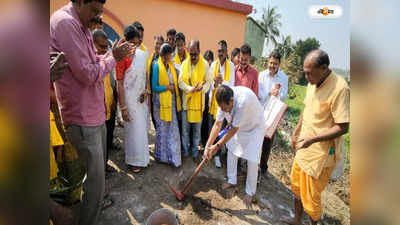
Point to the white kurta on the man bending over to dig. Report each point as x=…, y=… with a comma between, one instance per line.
x=247, y=114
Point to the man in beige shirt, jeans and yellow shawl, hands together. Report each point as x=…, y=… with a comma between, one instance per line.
x=194, y=81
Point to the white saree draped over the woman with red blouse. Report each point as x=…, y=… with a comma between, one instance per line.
x=136, y=141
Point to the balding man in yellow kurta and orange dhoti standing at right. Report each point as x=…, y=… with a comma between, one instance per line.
x=318, y=137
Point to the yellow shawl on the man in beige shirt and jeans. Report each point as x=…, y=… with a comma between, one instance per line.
x=195, y=78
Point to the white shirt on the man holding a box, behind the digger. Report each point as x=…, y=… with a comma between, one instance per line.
x=266, y=83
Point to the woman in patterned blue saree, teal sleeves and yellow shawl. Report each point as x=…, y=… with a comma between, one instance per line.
x=167, y=105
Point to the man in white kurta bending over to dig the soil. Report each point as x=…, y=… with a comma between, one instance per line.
x=244, y=113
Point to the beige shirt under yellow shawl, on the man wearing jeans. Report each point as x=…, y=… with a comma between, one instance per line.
x=185, y=88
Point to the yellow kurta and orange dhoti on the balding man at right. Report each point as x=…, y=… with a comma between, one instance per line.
x=312, y=167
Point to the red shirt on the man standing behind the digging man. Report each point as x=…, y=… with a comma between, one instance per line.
x=247, y=78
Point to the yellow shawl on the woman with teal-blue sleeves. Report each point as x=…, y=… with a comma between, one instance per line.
x=166, y=96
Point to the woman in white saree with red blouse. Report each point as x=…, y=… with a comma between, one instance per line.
x=132, y=93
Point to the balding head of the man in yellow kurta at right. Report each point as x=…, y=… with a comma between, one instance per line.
x=316, y=66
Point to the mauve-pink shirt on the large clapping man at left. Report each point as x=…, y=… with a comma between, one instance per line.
x=80, y=91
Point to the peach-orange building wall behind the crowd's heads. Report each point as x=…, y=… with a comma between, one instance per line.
x=196, y=21
